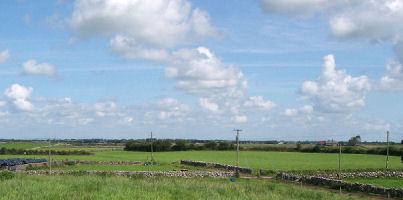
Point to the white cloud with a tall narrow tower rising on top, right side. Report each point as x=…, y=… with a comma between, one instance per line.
x=335, y=90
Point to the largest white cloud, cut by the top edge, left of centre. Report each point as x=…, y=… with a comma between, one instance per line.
x=147, y=25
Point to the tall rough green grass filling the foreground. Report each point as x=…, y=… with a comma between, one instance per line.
x=95, y=187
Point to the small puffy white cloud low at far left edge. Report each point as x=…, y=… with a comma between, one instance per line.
x=19, y=96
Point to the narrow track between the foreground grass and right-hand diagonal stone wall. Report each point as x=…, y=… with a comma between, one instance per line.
x=358, y=194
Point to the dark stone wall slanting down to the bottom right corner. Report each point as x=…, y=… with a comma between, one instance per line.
x=336, y=184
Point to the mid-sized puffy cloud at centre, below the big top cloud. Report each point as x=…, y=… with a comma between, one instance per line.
x=199, y=71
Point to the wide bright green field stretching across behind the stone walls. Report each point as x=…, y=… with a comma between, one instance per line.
x=252, y=159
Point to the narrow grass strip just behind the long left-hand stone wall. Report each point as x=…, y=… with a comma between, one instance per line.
x=159, y=167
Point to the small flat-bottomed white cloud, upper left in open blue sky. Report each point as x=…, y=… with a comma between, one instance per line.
x=31, y=67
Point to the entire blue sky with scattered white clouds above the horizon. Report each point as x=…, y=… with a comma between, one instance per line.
x=279, y=70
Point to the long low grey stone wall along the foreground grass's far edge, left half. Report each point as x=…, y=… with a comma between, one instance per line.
x=144, y=173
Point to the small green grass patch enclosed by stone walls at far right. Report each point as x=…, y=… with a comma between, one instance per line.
x=388, y=182
